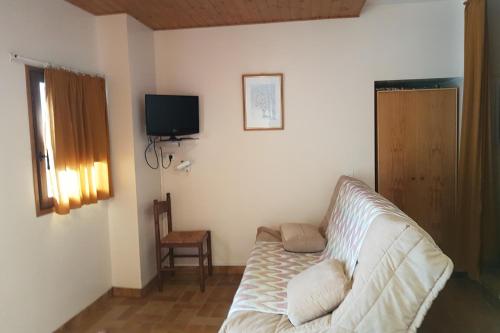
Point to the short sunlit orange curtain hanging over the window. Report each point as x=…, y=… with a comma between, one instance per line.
x=79, y=139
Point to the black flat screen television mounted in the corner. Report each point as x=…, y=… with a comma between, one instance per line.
x=172, y=116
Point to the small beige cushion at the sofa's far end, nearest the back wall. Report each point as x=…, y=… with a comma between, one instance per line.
x=302, y=238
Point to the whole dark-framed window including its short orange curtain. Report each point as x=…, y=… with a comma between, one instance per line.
x=67, y=112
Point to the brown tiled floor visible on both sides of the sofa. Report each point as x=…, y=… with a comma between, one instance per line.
x=461, y=307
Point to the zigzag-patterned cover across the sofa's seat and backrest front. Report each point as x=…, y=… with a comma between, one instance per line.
x=270, y=267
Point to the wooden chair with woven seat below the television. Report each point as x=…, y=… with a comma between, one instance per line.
x=178, y=239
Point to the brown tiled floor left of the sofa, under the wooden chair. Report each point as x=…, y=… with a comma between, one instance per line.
x=181, y=307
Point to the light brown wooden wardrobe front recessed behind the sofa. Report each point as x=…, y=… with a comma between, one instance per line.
x=417, y=157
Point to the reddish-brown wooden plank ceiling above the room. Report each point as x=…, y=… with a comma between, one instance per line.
x=178, y=14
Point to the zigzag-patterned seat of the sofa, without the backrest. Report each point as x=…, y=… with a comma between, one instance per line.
x=270, y=267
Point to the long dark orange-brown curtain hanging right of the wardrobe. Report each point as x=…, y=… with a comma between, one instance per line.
x=475, y=144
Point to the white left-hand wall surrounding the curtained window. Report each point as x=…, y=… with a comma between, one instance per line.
x=52, y=266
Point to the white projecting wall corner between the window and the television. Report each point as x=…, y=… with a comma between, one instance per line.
x=126, y=56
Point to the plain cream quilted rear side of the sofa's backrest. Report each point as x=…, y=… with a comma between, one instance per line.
x=400, y=271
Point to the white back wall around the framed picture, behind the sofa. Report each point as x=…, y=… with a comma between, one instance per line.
x=241, y=180
